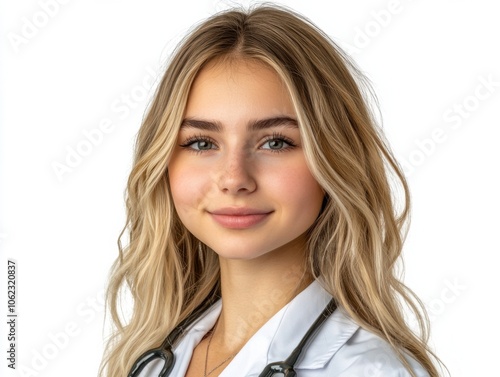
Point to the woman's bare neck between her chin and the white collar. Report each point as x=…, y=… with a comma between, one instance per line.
x=254, y=290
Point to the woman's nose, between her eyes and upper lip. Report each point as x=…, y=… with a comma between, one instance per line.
x=236, y=174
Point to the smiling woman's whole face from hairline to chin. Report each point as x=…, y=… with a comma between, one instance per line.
x=239, y=178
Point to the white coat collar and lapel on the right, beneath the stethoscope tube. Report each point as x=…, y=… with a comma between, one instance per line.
x=281, y=334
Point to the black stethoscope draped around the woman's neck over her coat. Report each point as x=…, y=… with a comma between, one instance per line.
x=280, y=368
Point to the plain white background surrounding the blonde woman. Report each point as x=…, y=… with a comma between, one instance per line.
x=70, y=71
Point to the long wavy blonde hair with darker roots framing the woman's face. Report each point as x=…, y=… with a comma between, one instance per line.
x=354, y=244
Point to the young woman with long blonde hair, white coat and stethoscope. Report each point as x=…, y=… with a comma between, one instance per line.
x=259, y=202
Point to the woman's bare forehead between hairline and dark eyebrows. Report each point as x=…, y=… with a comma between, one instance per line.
x=238, y=88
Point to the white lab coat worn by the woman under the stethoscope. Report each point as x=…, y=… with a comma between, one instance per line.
x=340, y=348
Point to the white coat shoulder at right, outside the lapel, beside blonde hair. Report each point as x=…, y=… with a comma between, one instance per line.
x=366, y=354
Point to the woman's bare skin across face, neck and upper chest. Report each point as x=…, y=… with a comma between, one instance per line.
x=247, y=193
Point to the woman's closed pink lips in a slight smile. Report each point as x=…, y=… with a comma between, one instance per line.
x=239, y=218
